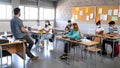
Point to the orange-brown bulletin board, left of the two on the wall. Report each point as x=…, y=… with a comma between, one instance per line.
x=84, y=14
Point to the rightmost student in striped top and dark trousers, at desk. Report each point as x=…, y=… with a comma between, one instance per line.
x=112, y=31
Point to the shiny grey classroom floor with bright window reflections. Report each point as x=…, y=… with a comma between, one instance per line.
x=50, y=59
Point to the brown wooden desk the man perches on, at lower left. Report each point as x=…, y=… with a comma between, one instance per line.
x=16, y=47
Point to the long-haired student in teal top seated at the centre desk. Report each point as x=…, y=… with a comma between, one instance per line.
x=73, y=34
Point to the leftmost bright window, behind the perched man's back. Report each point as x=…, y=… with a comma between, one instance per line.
x=5, y=12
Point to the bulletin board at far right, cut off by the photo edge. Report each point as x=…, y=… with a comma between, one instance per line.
x=108, y=13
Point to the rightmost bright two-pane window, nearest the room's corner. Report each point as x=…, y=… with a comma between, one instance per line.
x=46, y=14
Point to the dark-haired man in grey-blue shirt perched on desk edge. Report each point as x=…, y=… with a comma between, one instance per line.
x=19, y=32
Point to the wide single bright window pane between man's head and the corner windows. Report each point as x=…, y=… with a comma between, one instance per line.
x=31, y=13
